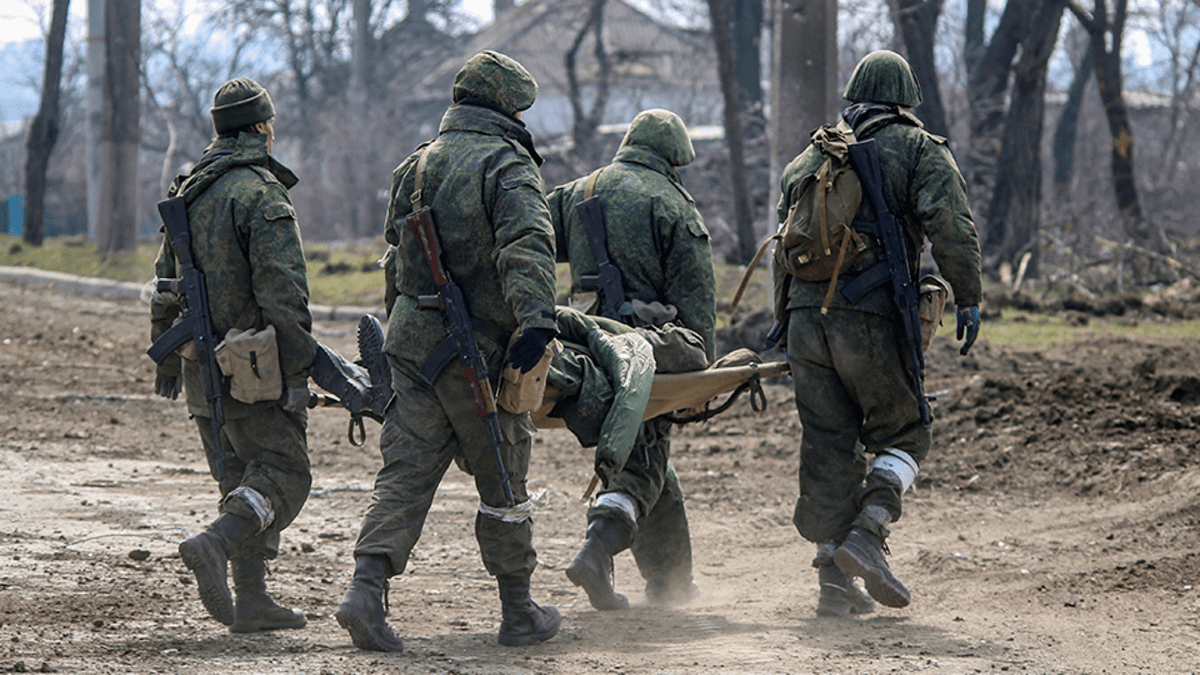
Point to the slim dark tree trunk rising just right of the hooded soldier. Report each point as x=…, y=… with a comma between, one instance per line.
x=742, y=214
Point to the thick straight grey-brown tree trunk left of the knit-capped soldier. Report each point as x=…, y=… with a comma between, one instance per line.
x=121, y=139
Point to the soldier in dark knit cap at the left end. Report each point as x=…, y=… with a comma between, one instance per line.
x=247, y=241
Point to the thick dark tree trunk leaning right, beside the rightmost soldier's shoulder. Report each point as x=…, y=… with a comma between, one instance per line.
x=1013, y=217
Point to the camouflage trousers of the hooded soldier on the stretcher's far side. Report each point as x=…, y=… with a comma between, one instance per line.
x=662, y=542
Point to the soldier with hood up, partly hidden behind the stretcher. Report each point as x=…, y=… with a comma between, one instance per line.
x=667, y=268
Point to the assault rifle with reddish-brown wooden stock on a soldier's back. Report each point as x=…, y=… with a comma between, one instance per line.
x=459, y=326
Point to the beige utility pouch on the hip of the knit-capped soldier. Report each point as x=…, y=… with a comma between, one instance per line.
x=251, y=362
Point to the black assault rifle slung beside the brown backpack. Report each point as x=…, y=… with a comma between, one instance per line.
x=866, y=158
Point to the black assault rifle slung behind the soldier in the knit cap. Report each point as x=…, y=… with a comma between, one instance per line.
x=195, y=324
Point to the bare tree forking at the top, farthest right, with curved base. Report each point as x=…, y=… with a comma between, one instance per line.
x=1107, y=31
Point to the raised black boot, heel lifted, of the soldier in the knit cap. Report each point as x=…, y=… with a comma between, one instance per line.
x=207, y=555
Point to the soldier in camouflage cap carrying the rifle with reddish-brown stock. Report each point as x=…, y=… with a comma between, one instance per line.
x=481, y=178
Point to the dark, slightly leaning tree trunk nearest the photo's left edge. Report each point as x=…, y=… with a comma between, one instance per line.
x=44, y=134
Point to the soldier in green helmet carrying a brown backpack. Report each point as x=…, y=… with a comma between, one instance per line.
x=853, y=384
